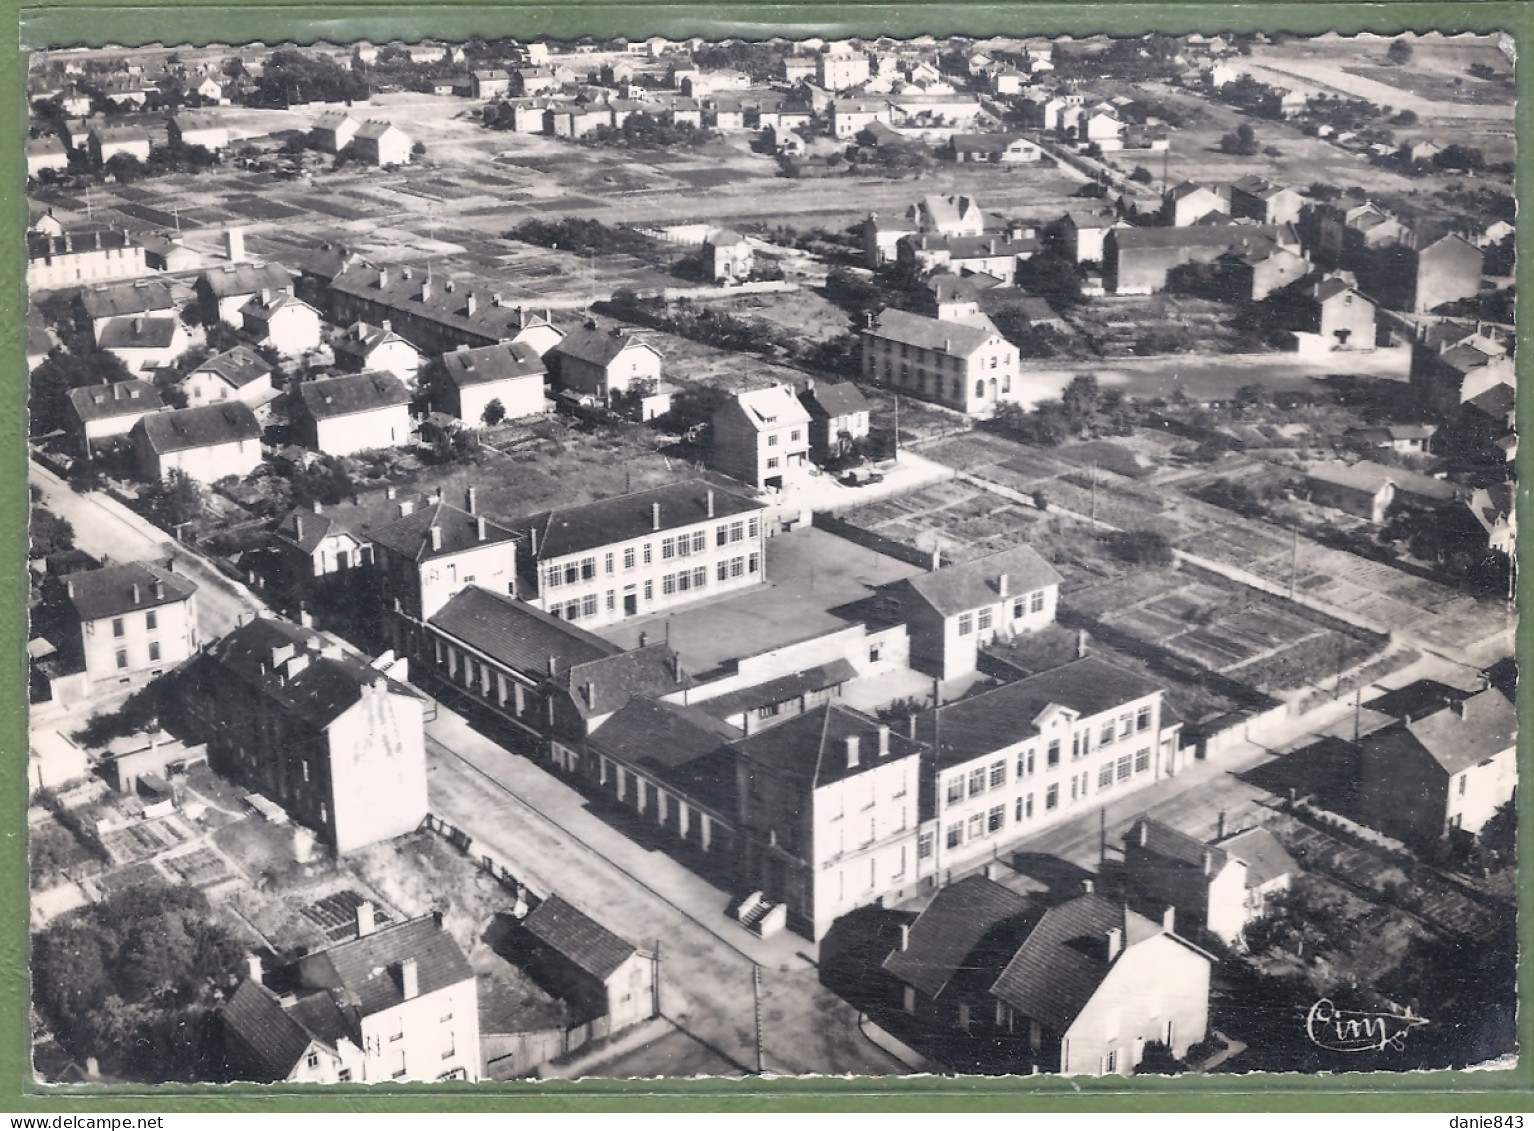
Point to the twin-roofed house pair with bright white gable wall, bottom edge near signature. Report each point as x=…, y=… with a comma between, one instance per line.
x=1078, y=989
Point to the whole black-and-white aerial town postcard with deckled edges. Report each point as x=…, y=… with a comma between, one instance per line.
x=677, y=558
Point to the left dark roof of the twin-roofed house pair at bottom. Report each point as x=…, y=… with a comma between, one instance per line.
x=949, y=937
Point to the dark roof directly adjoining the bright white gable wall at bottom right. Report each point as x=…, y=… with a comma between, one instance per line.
x=1064, y=960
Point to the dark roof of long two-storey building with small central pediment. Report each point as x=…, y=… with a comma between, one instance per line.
x=995, y=719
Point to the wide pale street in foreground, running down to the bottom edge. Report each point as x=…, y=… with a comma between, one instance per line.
x=547, y=834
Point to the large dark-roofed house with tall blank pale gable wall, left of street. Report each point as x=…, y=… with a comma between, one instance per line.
x=317, y=730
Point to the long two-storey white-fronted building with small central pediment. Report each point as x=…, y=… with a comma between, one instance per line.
x=1012, y=762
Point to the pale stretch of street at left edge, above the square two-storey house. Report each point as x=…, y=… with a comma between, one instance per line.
x=108, y=530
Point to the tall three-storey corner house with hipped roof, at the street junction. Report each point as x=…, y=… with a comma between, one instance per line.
x=829, y=814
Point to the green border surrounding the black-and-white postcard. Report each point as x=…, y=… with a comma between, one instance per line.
x=99, y=24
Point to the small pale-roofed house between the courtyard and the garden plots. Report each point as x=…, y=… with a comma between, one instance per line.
x=955, y=612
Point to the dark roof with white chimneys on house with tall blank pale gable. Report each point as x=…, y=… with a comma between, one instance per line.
x=318, y=691
